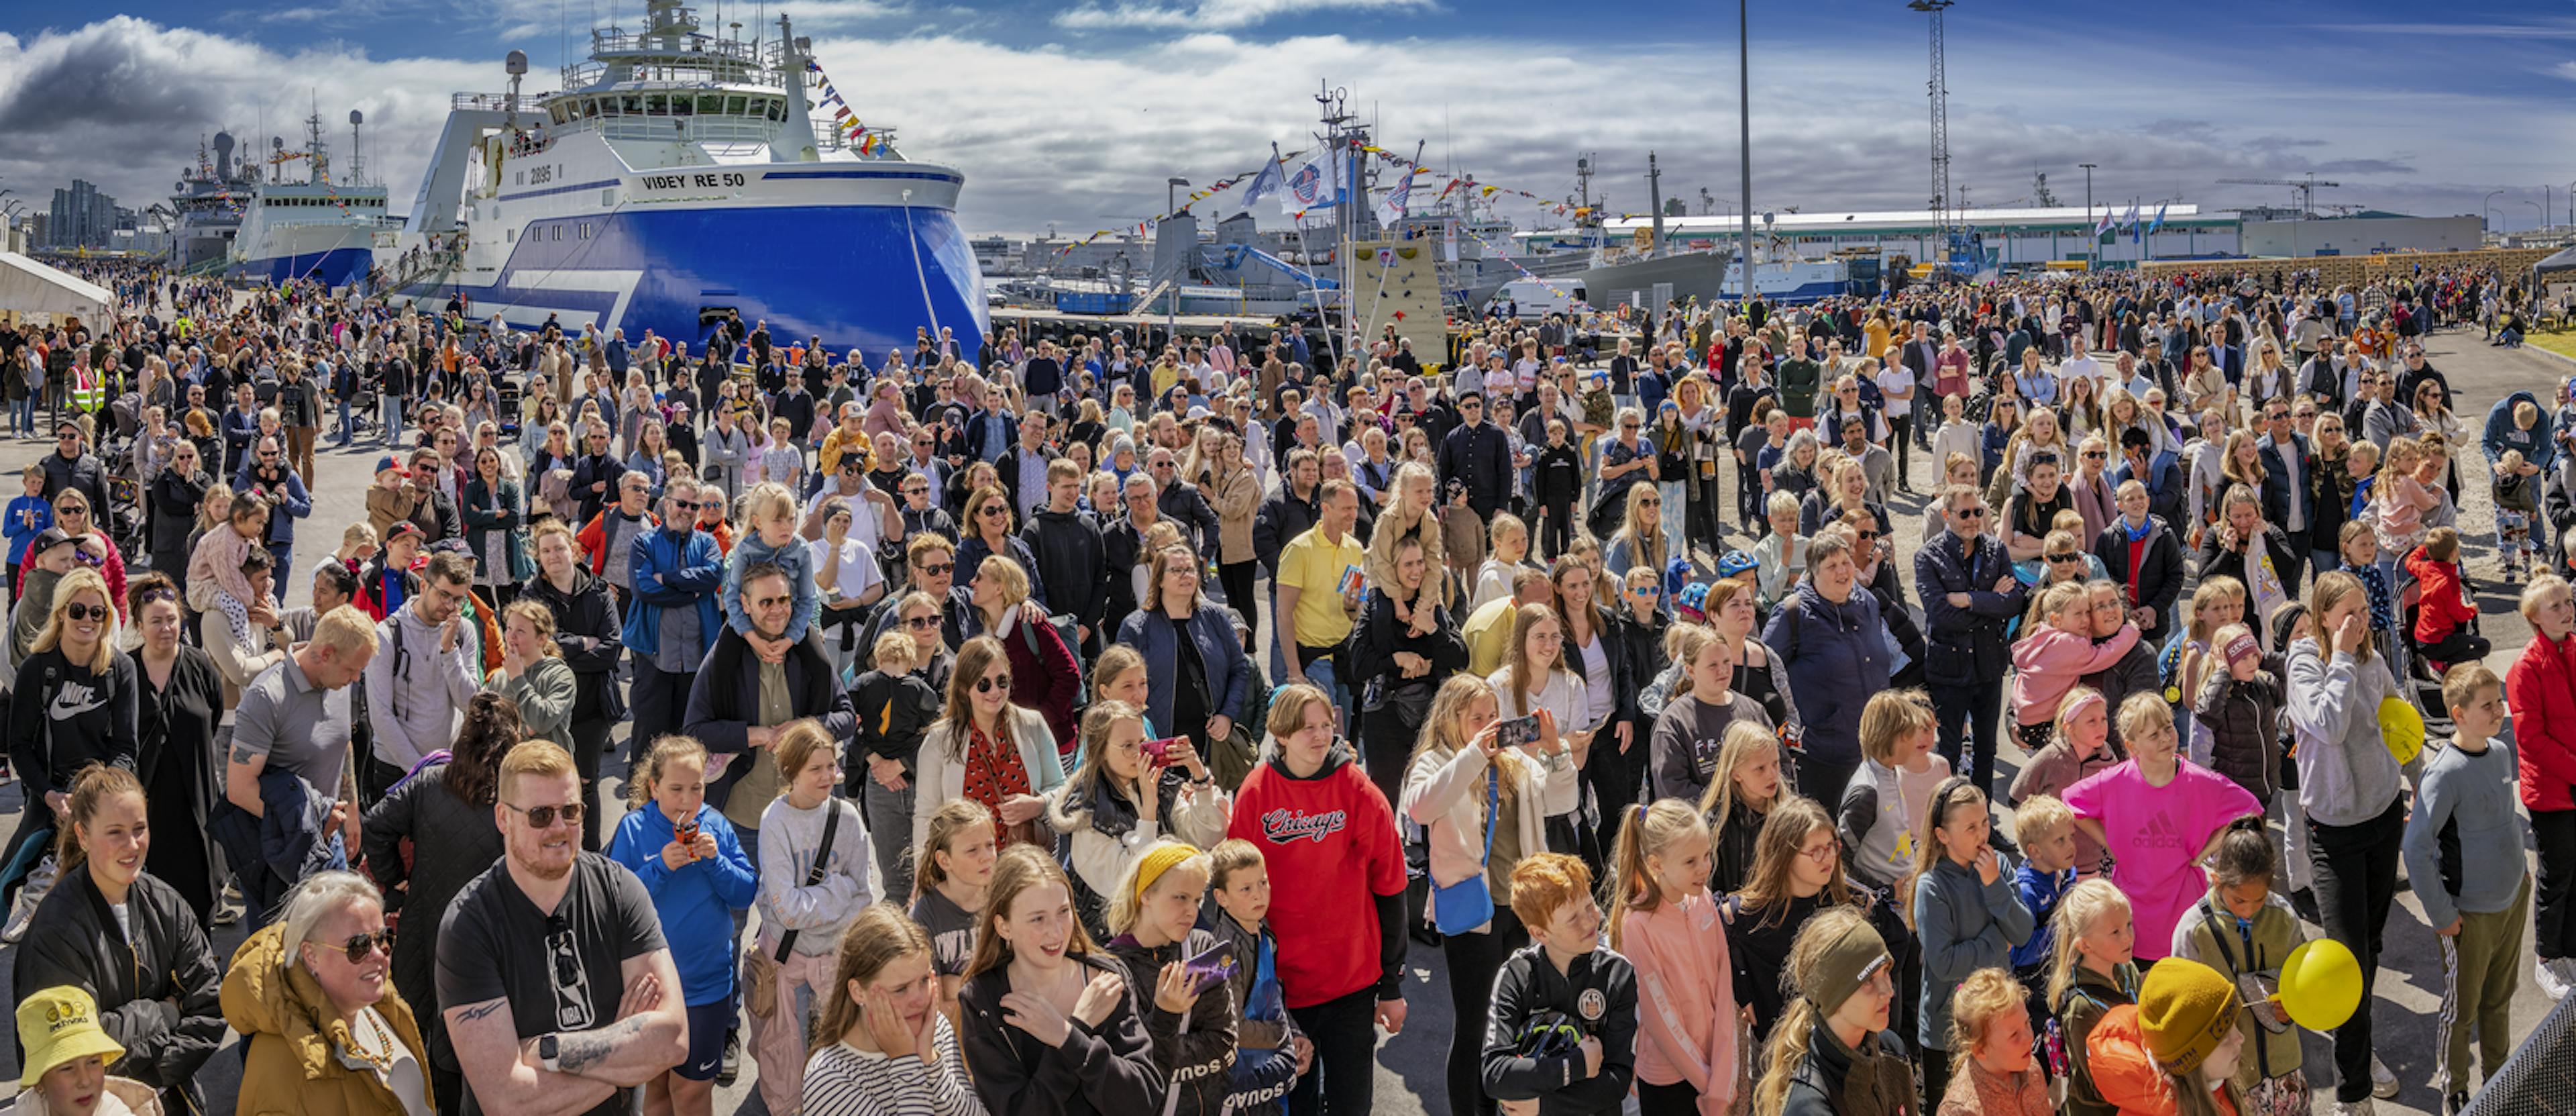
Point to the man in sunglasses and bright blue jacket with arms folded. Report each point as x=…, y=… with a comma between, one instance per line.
x=671, y=615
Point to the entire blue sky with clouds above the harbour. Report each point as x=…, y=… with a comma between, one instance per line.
x=1070, y=115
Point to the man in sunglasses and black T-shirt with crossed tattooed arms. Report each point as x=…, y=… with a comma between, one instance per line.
x=558, y=986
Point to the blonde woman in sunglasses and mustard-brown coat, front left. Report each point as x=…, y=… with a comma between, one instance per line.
x=341, y=1040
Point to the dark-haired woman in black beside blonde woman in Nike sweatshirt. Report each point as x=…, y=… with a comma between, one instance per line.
x=179, y=705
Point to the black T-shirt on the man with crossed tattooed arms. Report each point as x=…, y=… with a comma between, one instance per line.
x=560, y=973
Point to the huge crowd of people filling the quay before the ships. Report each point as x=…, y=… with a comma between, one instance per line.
x=1101, y=723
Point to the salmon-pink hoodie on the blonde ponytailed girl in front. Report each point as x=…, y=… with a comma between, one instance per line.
x=1686, y=999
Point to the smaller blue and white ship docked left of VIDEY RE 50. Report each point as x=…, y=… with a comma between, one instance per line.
x=318, y=228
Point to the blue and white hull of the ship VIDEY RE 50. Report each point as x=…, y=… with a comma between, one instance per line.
x=862, y=277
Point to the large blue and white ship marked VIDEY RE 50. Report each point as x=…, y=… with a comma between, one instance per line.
x=681, y=179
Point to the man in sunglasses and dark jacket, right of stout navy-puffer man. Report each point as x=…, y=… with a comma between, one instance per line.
x=1969, y=597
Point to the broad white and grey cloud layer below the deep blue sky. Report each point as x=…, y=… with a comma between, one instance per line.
x=1083, y=138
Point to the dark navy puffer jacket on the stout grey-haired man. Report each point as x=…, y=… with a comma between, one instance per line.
x=1835, y=656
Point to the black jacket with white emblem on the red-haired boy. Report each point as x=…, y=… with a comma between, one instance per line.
x=1598, y=996
